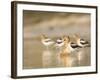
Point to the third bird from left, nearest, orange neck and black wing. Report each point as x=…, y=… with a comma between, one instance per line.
x=69, y=46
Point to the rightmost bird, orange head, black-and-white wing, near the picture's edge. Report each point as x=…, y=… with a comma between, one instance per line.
x=81, y=42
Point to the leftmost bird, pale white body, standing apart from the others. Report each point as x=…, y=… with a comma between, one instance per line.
x=46, y=41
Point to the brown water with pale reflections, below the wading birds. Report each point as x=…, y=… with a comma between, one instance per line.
x=37, y=56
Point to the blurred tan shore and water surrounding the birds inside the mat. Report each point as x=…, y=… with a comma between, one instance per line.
x=54, y=25
